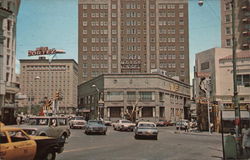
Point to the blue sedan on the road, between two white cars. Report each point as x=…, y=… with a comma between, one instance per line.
x=95, y=126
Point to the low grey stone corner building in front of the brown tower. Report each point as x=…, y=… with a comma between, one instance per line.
x=167, y=100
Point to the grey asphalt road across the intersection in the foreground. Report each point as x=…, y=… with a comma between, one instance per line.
x=122, y=146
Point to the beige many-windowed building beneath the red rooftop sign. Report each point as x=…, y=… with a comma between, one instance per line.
x=40, y=79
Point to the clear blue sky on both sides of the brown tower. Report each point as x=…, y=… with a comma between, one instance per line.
x=54, y=23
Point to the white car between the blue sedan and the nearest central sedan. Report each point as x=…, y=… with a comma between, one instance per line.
x=123, y=125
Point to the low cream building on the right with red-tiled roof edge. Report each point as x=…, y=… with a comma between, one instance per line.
x=216, y=63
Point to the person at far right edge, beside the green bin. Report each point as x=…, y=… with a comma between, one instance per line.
x=246, y=140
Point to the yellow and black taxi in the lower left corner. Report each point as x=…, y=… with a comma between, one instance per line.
x=17, y=144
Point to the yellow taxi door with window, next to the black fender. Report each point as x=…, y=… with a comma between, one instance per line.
x=23, y=148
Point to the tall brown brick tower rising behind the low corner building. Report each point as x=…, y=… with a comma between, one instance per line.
x=121, y=36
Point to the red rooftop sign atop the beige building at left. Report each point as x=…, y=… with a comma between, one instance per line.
x=44, y=51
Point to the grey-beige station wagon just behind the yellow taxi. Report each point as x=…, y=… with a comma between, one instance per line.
x=56, y=127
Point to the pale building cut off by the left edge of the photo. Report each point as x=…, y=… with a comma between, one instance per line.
x=8, y=85
